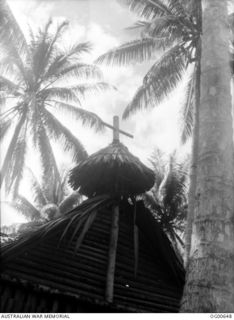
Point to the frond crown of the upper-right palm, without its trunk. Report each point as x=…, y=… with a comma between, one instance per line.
x=172, y=28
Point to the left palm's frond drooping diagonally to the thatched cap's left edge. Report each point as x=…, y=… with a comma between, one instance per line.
x=68, y=140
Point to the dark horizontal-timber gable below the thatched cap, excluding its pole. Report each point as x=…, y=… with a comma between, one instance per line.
x=43, y=266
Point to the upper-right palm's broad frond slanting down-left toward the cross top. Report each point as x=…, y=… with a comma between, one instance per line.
x=160, y=80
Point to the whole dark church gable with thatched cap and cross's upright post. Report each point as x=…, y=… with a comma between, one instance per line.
x=109, y=251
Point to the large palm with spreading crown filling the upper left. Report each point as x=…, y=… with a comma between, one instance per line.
x=38, y=78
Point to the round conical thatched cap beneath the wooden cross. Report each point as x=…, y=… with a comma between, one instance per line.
x=112, y=170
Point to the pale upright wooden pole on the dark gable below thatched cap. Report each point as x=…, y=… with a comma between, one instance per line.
x=109, y=294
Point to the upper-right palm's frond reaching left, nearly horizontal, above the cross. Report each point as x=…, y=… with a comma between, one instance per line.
x=135, y=51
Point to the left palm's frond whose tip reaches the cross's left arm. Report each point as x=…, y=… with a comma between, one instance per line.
x=86, y=117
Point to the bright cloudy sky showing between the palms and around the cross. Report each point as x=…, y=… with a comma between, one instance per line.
x=103, y=23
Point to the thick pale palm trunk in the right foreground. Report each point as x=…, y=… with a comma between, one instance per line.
x=209, y=282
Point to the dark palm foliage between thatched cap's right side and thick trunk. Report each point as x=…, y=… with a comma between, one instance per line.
x=167, y=200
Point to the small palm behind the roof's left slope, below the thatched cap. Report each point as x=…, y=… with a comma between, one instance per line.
x=44, y=207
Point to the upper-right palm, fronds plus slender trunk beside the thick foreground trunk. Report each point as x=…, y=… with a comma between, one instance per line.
x=173, y=27
